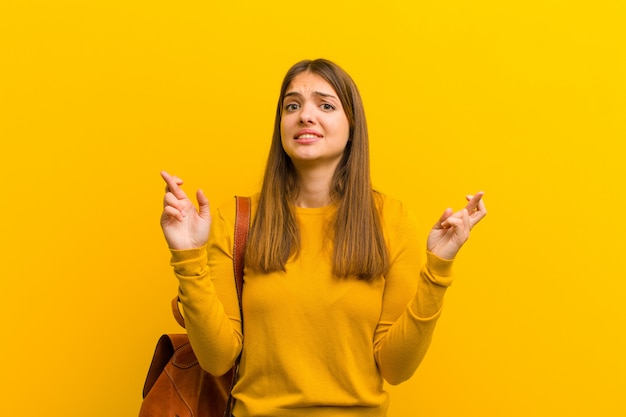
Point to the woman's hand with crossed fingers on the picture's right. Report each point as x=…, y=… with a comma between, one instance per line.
x=453, y=229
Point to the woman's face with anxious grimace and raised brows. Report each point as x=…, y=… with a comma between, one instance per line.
x=314, y=128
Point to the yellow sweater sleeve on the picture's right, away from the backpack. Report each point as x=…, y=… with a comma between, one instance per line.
x=412, y=302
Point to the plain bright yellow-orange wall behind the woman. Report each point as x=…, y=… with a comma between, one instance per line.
x=523, y=99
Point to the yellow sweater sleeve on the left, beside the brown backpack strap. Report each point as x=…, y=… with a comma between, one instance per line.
x=209, y=298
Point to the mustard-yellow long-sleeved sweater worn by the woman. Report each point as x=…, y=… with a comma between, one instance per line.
x=315, y=345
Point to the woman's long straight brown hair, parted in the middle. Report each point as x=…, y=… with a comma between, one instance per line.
x=358, y=244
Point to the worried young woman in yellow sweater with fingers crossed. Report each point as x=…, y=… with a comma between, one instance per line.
x=337, y=295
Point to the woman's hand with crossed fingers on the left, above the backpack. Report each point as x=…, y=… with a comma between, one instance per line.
x=184, y=227
